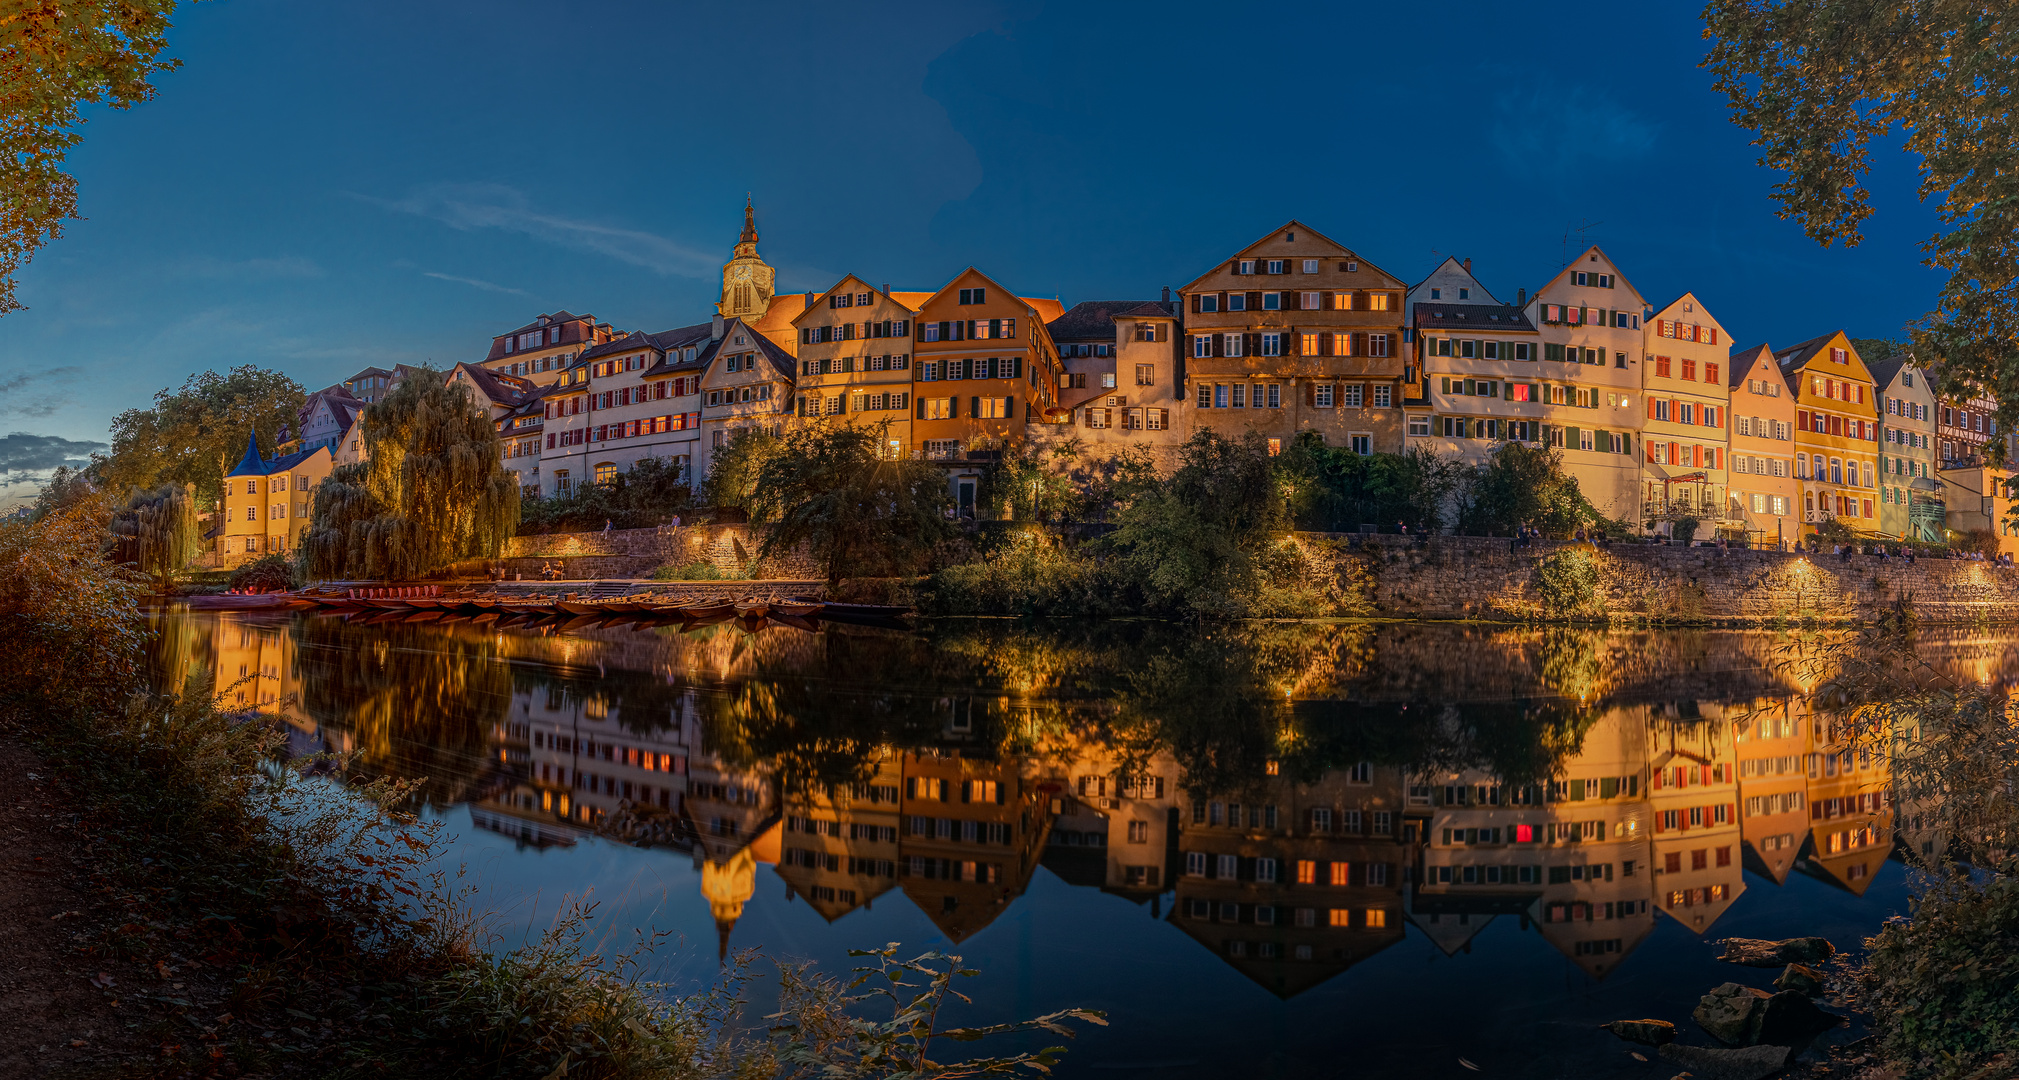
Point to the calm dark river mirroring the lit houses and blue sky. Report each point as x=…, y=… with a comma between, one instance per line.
x=1263, y=851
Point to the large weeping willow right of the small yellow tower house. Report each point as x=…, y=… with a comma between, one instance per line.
x=431, y=492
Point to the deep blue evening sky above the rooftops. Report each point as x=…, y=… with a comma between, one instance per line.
x=336, y=185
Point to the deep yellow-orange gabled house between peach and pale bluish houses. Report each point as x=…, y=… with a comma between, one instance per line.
x=1836, y=433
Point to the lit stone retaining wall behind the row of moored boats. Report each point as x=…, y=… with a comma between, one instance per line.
x=639, y=552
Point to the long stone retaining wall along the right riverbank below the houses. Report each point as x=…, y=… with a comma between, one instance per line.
x=1491, y=578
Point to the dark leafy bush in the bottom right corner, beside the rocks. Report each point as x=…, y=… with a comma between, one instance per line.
x=1943, y=986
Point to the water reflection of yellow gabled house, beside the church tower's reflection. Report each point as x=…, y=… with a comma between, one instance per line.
x=841, y=849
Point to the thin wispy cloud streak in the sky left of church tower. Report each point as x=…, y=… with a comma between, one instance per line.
x=477, y=207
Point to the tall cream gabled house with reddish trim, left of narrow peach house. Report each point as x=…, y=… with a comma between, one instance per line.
x=1687, y=419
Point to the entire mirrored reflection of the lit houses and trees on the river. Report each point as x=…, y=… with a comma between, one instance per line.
x=1291, y=798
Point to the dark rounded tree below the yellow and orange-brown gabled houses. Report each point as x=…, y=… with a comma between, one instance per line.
x=831, y=490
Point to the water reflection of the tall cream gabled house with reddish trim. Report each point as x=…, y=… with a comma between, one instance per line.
x=1693, y=802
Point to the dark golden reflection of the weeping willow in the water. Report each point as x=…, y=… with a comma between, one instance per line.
x=419, y=701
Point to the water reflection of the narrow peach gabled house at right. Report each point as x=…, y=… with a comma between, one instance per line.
x=1774, y=784
